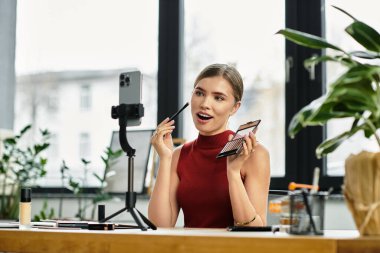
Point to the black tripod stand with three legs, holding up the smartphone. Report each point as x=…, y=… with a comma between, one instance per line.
x=123, y=112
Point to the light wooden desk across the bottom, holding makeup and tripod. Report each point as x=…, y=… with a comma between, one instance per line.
x=182, y=240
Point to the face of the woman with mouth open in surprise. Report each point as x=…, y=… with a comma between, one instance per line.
x=212, y=103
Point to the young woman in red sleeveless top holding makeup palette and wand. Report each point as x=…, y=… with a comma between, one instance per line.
x=213, y=193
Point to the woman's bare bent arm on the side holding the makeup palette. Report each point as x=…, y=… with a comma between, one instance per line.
x=249, y=199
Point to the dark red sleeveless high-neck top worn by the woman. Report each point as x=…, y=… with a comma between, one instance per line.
x=203, y=191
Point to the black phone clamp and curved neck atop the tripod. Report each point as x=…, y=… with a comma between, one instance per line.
x=123, y=112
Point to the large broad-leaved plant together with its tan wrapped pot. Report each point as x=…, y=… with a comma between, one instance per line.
x=356, y=95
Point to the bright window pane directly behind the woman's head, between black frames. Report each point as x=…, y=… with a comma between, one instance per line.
x=233, y=32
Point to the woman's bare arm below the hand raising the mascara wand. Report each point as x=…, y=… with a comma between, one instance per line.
x=163, y=208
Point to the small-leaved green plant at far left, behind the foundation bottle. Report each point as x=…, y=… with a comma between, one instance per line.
x=20, y=167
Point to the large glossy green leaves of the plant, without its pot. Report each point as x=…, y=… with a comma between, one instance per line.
x=355, y=94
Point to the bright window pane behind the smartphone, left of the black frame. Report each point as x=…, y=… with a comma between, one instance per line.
x=68, y=58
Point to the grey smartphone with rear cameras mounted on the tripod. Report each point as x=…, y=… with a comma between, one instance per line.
x=130, y=84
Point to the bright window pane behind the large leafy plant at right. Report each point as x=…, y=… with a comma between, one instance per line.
x=336, y=22
